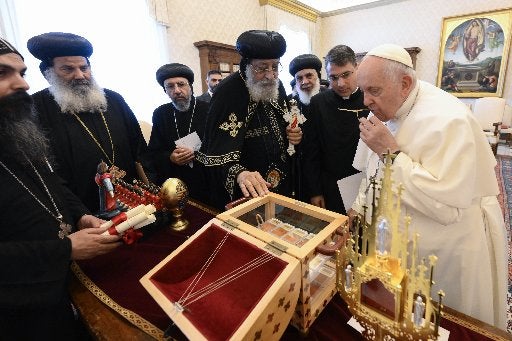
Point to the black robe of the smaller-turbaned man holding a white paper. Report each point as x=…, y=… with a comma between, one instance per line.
x=169, y=125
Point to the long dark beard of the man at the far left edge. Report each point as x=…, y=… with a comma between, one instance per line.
x=21, y=139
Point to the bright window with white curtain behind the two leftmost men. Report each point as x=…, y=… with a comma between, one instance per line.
x=129, y=45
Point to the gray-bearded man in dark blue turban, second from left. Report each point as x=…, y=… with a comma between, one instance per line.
x=86, y=123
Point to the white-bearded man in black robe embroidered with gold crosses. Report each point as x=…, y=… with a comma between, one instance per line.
x=246, y=136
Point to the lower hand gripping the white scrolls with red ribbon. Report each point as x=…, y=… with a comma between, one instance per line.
x=89, y=243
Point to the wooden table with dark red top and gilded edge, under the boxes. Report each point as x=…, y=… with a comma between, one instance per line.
x=127, y=310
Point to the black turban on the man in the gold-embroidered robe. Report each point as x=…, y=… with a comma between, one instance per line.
x=261, y=44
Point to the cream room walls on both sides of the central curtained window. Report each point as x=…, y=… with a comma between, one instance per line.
x=408, y=23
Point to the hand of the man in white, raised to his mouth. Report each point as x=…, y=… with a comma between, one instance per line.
x=377, y=136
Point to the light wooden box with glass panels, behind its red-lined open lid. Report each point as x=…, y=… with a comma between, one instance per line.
x=307, y=233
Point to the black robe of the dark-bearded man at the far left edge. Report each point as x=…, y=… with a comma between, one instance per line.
x=34, y=261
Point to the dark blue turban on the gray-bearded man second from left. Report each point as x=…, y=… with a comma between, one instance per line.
x=49, y=45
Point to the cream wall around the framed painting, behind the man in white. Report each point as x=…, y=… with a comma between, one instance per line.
x=407, y=23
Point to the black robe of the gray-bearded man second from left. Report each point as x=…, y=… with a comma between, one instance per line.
x=76, y=153
